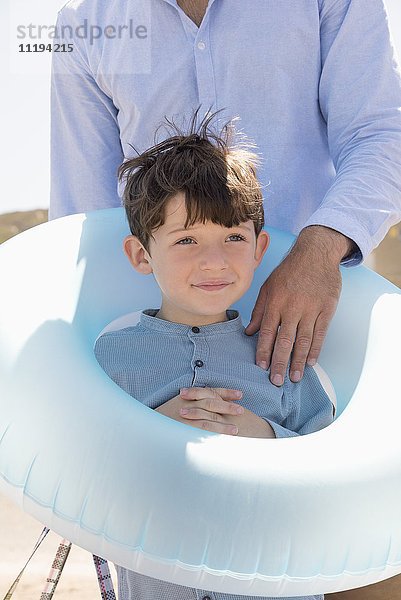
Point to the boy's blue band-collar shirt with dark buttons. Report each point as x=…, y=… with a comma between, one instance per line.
x=154, y=359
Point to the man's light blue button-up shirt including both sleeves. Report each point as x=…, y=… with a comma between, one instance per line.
x=314, y=83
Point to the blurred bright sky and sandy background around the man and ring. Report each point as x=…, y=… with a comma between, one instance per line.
x=25, y=128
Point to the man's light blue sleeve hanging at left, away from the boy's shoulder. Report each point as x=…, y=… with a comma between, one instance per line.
x=85, y=140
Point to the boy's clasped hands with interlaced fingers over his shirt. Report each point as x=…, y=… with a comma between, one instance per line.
x=212, y=409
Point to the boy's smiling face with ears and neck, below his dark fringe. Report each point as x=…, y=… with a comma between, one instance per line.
x=201, y=270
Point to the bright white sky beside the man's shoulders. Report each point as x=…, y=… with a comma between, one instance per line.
x=25, y=103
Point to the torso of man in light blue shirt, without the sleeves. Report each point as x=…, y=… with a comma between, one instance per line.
x=261, y=63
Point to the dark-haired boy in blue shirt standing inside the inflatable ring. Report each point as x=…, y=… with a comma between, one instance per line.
x=195, y=210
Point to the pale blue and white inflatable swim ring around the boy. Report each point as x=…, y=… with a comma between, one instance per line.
x=286, y=517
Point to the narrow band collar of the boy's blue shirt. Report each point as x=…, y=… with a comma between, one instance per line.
x=149, y=321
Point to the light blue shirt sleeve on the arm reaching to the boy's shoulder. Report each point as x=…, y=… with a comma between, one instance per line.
x=360, y=100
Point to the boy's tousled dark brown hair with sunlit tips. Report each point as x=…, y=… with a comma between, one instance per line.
x=218, y=179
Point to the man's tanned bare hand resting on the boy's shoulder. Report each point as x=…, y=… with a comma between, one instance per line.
x=297, y=302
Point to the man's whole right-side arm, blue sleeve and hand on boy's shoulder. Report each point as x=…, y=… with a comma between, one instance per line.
x=360, y=99
